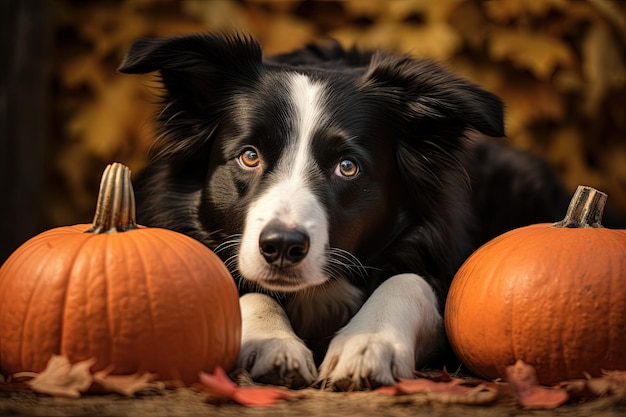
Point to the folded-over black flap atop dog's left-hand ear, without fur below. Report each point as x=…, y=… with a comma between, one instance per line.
x=195, y=62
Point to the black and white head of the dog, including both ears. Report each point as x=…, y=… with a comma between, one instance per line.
x=306, y=167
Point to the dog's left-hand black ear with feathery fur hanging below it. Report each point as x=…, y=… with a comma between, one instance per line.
x=199, y=74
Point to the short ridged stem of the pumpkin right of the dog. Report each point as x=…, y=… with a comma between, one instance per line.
x=585, y=209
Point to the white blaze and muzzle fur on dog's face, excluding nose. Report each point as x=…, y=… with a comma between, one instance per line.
x=290, y=200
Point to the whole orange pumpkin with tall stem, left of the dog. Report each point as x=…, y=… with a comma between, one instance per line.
x=136, y=299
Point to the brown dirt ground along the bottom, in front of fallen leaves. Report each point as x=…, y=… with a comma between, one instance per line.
x=310, y=403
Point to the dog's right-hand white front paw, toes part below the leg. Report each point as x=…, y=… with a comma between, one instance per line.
x=365, y=360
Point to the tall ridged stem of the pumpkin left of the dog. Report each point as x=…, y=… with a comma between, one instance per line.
x=115, y=210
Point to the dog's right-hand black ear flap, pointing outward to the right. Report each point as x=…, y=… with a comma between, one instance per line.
x=437, y=95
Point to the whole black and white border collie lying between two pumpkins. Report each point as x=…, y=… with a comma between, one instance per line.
x=342, y=188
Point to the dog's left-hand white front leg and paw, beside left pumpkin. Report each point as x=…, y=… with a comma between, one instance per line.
x=270, y=350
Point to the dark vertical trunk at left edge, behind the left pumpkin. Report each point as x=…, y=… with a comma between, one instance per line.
x=24, y=74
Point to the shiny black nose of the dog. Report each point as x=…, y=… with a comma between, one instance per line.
x=283, y=246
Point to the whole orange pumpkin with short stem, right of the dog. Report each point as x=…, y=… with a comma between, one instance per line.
x=553, y=296
